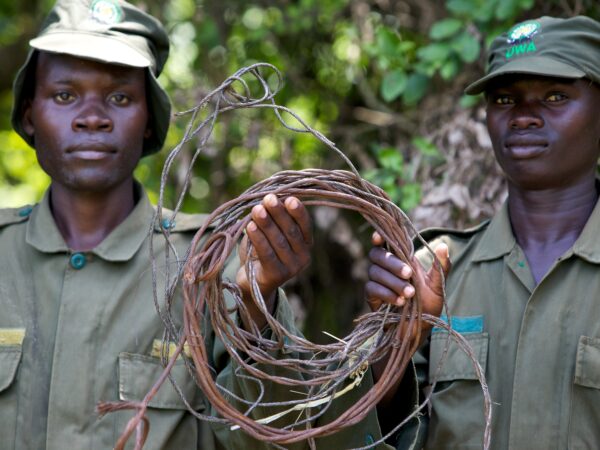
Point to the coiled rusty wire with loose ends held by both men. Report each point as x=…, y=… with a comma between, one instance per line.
x=321, y=372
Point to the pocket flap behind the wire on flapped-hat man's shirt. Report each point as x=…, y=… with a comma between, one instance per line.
x=138, y=373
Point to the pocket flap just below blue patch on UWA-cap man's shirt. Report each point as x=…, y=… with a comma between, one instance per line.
x=457, y=365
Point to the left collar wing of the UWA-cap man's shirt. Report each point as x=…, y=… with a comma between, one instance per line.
x=498, y=238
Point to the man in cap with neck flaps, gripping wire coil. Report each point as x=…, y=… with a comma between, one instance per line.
x=78, y=323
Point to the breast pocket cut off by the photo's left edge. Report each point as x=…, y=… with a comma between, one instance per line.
x=10, y=357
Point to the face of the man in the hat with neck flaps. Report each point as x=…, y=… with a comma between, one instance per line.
x=89, y=121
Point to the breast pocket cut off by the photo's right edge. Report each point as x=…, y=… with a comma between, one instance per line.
x=584, y=431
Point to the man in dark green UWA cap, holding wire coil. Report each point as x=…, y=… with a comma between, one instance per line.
x=524, y=288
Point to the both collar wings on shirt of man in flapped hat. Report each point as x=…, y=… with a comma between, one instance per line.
x=120, y=245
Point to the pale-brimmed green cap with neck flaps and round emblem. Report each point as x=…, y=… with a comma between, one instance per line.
x=112, y=32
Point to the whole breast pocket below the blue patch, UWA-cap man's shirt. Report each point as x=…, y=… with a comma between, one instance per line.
x=457, y=405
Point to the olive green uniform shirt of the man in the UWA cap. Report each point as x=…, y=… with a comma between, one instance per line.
x=539, y=345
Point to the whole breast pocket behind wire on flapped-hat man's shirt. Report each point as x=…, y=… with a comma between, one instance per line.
x=171, y=425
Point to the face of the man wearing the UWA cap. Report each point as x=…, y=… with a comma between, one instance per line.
x=545, y=131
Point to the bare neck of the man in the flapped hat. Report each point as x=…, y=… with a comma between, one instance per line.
x=85, y=219
